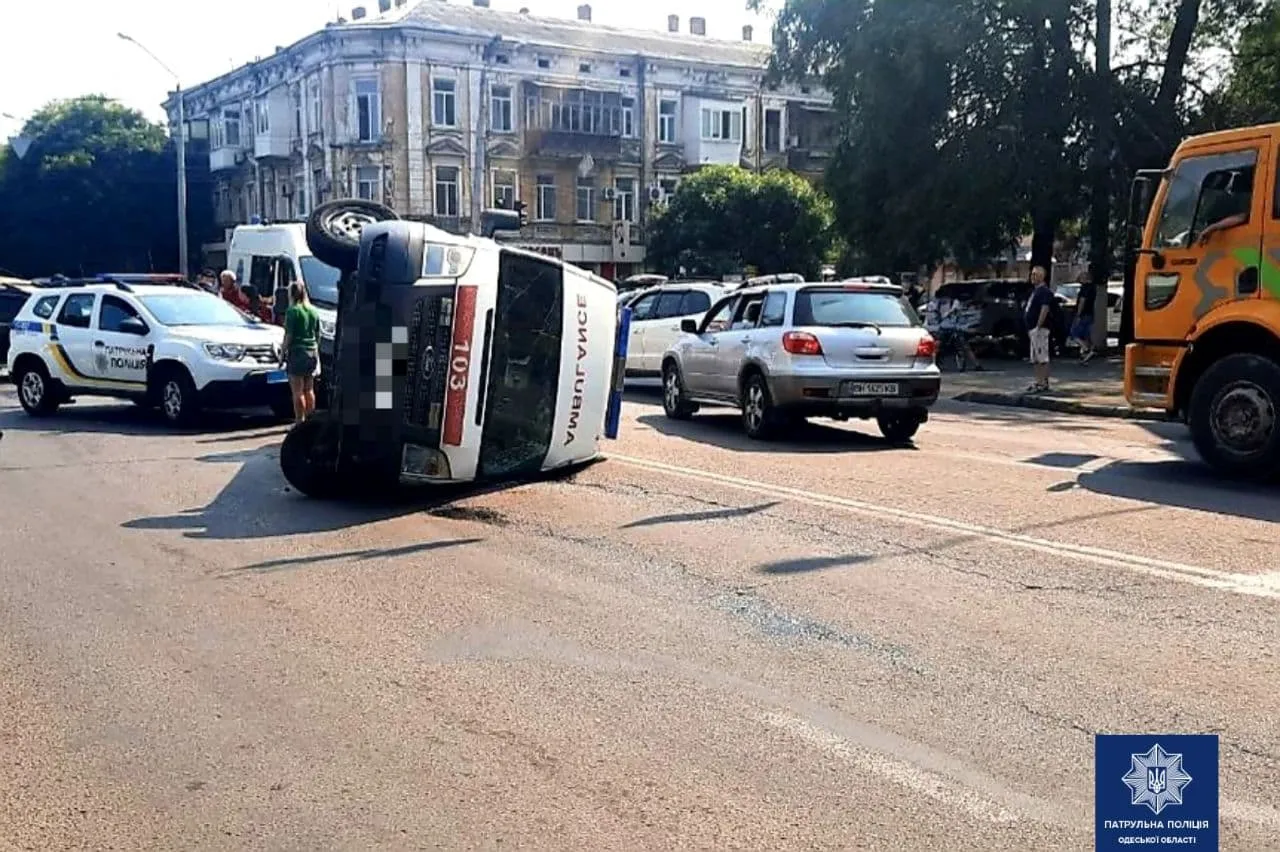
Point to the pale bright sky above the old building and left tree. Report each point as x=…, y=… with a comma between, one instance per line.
x=70, y=48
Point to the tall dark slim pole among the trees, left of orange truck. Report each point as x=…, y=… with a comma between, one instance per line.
x=1100, y=218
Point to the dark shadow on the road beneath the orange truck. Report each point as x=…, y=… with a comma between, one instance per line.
x=1185, y=485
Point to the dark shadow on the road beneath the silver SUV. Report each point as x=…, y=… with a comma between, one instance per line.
x=724, y=429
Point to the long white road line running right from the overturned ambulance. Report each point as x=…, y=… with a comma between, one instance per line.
x=1261, y=587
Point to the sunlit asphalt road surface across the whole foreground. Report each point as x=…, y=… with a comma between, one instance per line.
x=702, y=643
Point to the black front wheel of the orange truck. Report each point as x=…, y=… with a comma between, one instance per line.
x=1233, y=416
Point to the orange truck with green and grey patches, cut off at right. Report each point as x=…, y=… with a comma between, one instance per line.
x=1206, y=296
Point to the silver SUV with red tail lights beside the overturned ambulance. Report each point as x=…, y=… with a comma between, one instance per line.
x=787, y=352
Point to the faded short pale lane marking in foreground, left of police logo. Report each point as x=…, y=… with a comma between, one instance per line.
x=918, y=781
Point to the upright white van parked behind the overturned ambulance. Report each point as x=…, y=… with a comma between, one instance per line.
x=268, y=258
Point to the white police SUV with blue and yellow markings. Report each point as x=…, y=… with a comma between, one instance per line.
x=172, y=347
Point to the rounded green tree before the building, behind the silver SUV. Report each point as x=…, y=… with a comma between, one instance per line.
x=724, y=219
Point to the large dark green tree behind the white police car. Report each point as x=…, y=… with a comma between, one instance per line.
x=95, y=193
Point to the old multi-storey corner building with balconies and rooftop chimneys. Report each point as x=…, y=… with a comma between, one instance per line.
x=444, y=108
